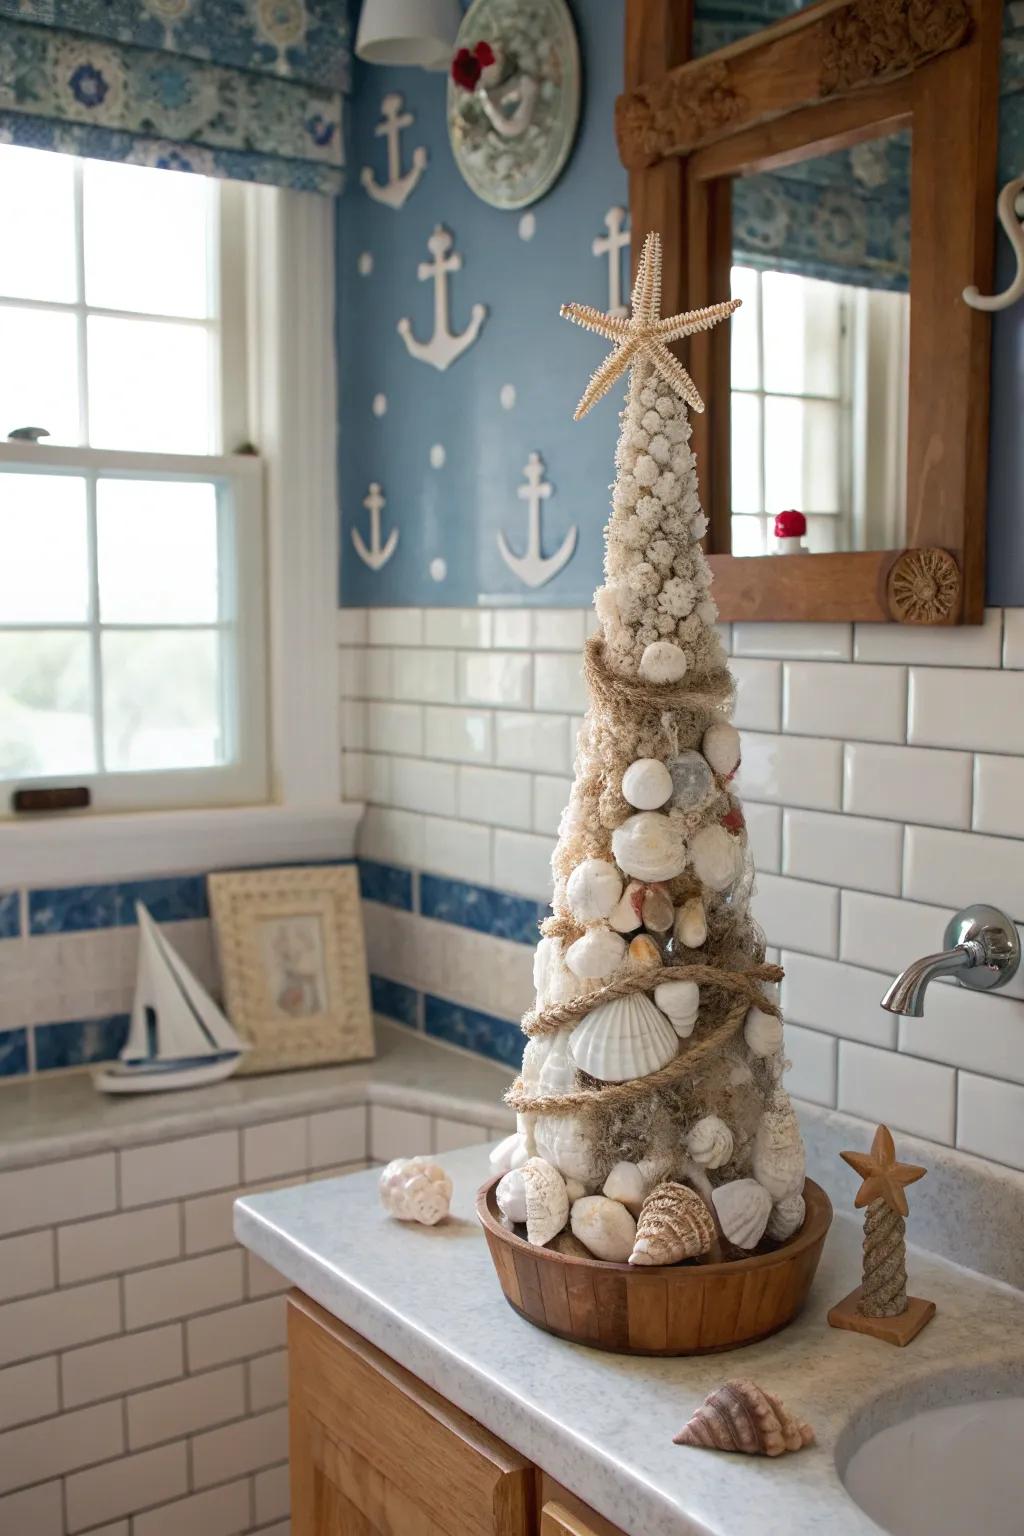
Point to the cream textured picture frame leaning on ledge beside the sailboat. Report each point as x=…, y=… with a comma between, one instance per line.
x=294, y=965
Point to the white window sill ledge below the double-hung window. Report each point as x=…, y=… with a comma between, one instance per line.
x=85, y=850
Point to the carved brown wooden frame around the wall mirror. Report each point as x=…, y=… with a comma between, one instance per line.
x=831, y=76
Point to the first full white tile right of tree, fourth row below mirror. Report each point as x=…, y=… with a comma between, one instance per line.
x=847, y=850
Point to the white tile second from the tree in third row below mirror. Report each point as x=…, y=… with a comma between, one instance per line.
x=908, y=784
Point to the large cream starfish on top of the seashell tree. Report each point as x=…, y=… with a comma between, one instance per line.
x=646, y=334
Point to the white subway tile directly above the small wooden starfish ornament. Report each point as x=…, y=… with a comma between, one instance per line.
x=902, y=1091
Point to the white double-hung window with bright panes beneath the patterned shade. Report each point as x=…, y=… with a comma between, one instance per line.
x=131, y=563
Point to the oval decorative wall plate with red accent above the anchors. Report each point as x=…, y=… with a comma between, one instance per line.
x=514, y=99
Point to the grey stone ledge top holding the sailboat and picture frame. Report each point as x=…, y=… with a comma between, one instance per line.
x=62, y=1116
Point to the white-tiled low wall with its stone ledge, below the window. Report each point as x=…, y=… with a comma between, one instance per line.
x=142, y=1351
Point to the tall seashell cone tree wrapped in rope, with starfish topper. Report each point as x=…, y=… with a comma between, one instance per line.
x=655, y=1058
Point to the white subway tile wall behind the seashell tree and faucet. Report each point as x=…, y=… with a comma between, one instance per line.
x=884, y=784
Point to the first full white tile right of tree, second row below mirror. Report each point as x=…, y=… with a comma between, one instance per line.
x=853, y=703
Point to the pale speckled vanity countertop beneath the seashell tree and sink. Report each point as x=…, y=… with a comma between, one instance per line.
x=603, y=1425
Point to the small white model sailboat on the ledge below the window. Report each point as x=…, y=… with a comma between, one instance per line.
x=179, y=1038
